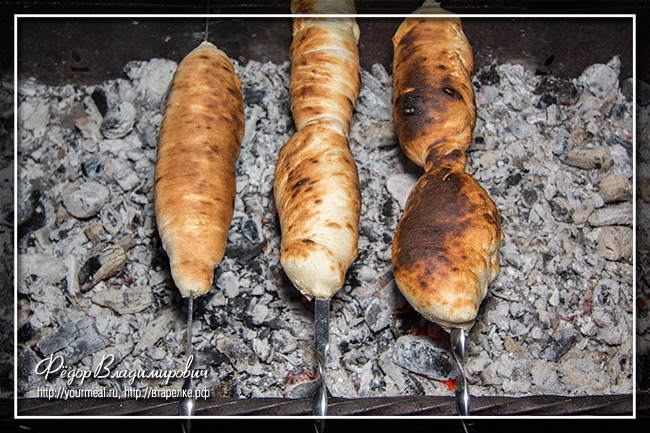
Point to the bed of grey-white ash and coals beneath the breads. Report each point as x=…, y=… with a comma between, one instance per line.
x=554, y=154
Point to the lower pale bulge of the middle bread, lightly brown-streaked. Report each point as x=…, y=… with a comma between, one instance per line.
x=317, y=196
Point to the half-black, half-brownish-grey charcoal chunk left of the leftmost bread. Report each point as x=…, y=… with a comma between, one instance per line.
x=104, y=261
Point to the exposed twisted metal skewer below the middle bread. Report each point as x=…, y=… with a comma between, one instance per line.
x=321, y=340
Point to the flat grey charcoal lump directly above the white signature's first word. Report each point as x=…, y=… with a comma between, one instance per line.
x=73, y=341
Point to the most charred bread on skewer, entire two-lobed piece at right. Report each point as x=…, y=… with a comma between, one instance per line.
x=446, y=244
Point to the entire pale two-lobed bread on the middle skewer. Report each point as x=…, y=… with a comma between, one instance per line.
x=316, y=183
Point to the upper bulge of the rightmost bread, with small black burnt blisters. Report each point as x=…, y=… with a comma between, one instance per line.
x=434, y=109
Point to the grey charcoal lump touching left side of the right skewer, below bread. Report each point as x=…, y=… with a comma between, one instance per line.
x=420, y=355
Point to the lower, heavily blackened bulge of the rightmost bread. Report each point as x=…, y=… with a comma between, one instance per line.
x=445, y=247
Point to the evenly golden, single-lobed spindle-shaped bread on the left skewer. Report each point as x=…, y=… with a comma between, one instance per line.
x=194, y=181
